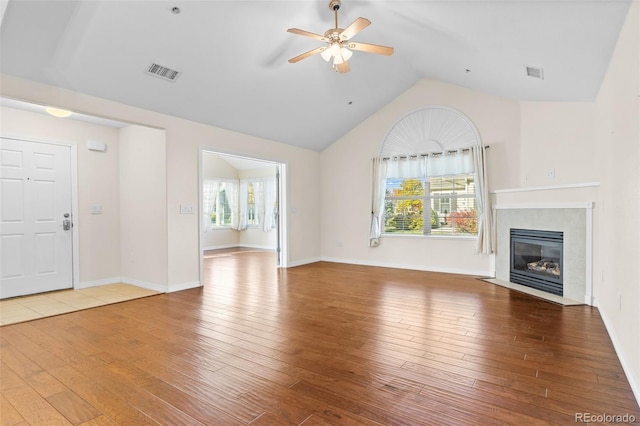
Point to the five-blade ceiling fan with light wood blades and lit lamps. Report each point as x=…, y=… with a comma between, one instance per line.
x=338, y=42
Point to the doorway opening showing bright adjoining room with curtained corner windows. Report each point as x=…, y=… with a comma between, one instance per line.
x=242, y=206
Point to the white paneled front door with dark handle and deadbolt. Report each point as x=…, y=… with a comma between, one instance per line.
x=35, y=218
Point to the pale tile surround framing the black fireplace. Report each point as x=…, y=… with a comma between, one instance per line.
x=574, y=220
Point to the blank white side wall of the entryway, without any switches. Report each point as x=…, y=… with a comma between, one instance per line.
x=143, y=200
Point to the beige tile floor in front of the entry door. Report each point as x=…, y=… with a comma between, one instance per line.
x=26, y=308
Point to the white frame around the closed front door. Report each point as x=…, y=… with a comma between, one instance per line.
x=75, y=217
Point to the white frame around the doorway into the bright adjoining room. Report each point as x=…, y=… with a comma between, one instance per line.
x=283, y=189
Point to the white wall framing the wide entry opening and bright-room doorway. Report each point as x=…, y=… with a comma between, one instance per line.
x=184, y=139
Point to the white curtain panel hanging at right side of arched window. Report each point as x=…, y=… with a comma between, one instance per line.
x=485, y=243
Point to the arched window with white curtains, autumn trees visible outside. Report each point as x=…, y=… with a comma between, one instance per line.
x=430, y=177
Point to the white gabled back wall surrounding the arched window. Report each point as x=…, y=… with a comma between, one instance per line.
x=346, y=183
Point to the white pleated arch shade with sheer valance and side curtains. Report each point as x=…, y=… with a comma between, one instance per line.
x=436, y=141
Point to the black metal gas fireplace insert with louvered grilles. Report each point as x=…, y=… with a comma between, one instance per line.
x=536, y=259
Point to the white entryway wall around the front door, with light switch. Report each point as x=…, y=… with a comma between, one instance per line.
x=98, y=183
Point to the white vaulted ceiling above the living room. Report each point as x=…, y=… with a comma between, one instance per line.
x=233, y=55
